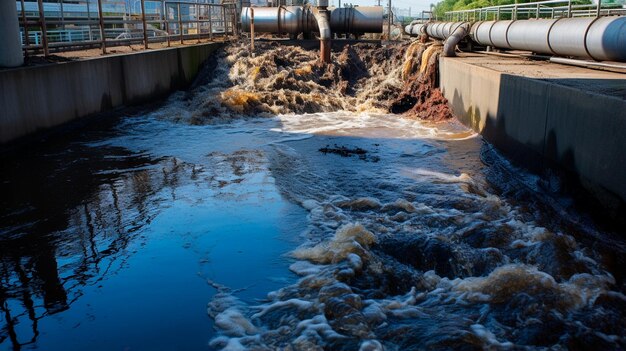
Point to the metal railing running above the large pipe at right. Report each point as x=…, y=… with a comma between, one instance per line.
x=540, y=9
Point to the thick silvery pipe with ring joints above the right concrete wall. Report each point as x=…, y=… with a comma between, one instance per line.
x=599, y=38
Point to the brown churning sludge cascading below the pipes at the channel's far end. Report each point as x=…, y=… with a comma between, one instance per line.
x=281, y=79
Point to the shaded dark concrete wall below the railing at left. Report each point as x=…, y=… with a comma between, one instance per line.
x=34, y=98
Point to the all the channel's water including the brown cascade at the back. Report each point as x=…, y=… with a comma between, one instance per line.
x=406, y=234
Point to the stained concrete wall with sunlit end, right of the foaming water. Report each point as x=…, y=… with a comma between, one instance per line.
x=546, y=123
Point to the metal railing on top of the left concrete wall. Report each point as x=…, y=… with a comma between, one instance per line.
x=65, y=26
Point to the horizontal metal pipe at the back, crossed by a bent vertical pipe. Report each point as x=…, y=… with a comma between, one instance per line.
x=298, y=19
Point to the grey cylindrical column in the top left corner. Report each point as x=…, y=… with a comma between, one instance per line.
x=11, y=53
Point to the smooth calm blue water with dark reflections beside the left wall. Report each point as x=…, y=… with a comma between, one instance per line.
x=117, y=231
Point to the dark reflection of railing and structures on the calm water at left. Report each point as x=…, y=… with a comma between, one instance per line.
x=72, y=213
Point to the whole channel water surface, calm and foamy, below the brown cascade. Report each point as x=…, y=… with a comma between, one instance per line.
x=118, y=234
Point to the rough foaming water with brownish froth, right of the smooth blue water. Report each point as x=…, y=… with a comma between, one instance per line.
x=415, y=247
